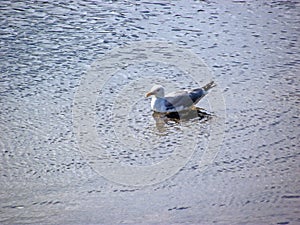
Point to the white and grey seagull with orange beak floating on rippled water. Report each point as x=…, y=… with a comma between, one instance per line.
x=176, y=101
